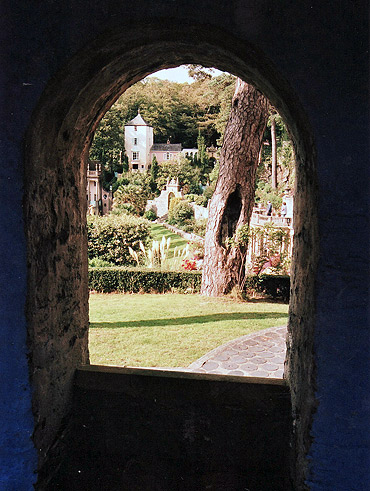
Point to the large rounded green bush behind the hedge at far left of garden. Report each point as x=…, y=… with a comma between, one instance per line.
x=110, y=237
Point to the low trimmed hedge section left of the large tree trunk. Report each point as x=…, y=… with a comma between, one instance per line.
x=107, y=280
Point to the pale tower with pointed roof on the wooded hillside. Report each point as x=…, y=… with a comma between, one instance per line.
x=138, y=142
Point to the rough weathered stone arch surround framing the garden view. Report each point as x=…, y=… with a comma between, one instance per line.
x=57, y=145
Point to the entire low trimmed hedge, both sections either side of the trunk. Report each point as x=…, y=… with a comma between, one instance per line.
x=107, y=280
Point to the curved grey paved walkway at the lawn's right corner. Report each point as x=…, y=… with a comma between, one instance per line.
x=261, y=354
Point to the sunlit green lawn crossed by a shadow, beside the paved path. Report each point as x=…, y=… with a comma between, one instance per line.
x=170, y=330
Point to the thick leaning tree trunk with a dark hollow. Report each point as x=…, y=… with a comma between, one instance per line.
x=232, y=202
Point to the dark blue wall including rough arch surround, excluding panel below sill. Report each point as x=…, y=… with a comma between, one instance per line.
x=64, y=64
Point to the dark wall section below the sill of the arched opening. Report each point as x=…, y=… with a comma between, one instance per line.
x=163, y=431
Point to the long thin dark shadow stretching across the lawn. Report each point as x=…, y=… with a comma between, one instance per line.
x=196, y=319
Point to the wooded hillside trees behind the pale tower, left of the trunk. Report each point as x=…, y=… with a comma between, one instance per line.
x=176, y=112
